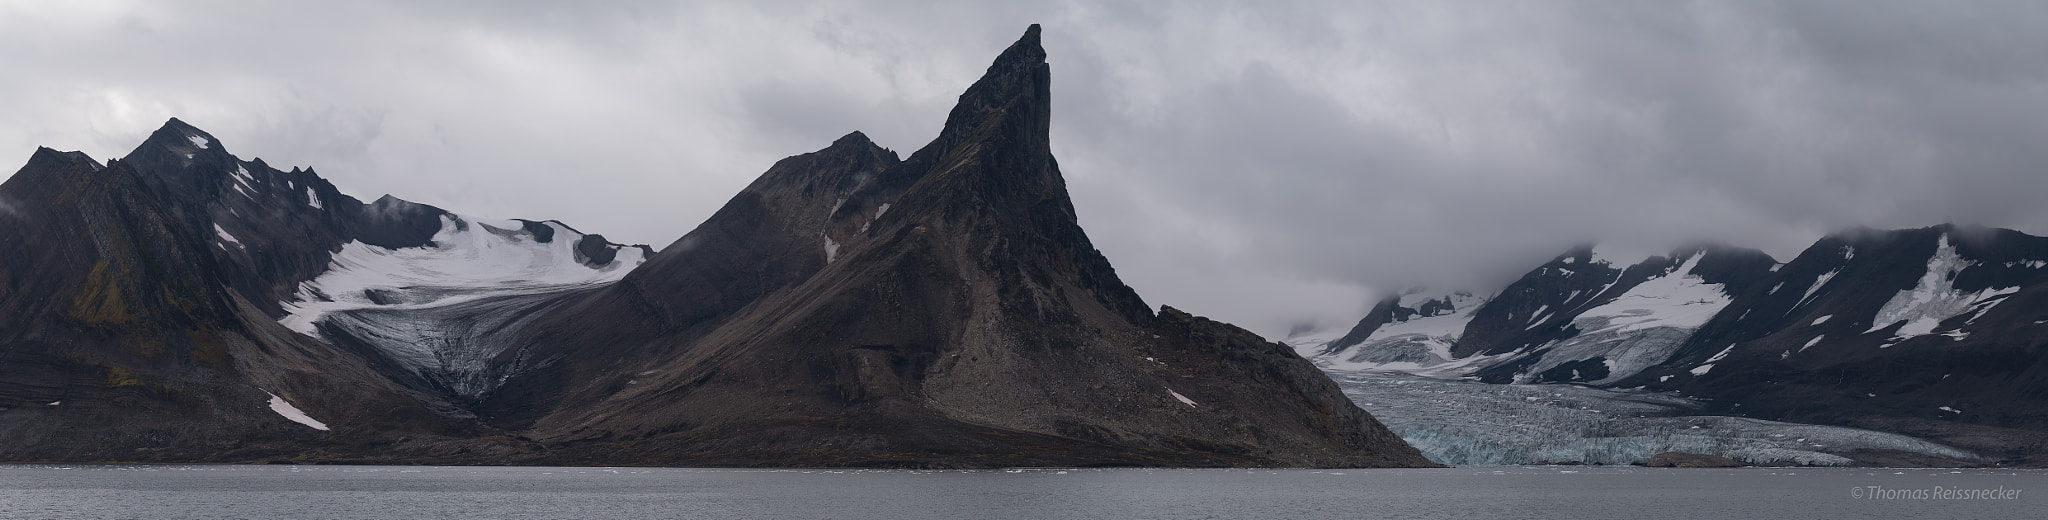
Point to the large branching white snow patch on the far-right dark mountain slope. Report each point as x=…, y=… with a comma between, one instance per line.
x=1936, y=298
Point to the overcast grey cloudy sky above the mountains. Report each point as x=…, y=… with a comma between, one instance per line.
x=1258, y=163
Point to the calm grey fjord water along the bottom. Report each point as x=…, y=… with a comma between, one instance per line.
x=589, y=492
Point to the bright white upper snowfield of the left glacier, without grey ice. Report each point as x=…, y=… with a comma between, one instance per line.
x=468, y=261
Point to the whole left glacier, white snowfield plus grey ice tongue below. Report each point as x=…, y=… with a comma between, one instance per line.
x=445, y=310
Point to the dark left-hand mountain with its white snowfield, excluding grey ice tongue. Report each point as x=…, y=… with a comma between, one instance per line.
x=142, y=302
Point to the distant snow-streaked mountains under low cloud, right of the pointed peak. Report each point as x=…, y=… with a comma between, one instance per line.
x=1932, y=333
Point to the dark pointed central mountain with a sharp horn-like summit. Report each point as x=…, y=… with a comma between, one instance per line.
x=935, y=312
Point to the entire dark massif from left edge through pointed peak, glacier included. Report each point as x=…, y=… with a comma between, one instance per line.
x=847, y=310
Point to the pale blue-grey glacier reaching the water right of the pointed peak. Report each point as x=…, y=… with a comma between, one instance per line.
x=1469, y=423
